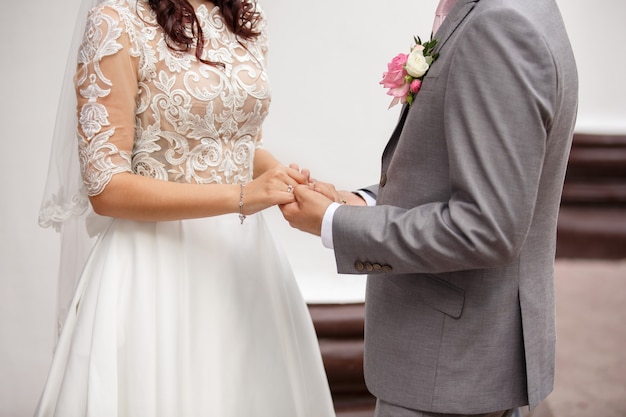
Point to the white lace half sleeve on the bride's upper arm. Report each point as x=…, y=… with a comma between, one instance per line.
x=106, y=87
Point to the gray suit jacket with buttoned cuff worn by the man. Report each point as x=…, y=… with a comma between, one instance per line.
x=460, y=247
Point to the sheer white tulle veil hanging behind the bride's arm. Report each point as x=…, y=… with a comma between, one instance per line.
x=65, y=206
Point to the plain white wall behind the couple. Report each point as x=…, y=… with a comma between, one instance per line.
x=328, y=114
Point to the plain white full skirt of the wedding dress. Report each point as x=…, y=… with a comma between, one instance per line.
x=187, y=319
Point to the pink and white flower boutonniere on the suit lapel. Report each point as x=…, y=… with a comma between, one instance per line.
x=405, y=72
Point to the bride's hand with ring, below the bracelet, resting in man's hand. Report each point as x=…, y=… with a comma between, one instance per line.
x=274, y=186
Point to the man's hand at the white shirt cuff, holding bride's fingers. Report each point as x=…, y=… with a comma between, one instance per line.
x=307, y=212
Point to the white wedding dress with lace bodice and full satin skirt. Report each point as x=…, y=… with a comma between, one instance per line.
x=182, y=318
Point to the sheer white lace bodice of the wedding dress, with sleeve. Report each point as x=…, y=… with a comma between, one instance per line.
x=161, y=113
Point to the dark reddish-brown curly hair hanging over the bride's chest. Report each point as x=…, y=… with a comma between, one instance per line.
x=176, y=16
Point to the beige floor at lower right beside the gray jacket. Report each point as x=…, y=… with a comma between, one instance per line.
x=591, y=344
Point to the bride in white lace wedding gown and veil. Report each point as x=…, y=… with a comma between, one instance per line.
x=184, y=306
